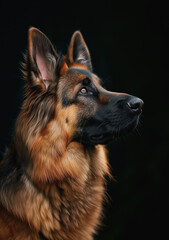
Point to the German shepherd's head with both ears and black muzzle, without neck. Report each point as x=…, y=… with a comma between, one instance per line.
x=64, y=96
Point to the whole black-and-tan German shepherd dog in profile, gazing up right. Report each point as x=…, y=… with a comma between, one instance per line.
x=52, y=177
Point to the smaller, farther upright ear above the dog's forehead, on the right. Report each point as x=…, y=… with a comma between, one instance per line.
x=78, y=50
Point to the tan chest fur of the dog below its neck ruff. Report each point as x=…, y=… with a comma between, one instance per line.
x=77, y=203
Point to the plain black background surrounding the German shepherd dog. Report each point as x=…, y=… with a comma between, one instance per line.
x=129, y=48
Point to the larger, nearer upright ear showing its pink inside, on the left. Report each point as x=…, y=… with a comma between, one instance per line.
x=42, y=56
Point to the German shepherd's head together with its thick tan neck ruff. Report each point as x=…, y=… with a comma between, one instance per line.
x=65, y=109
